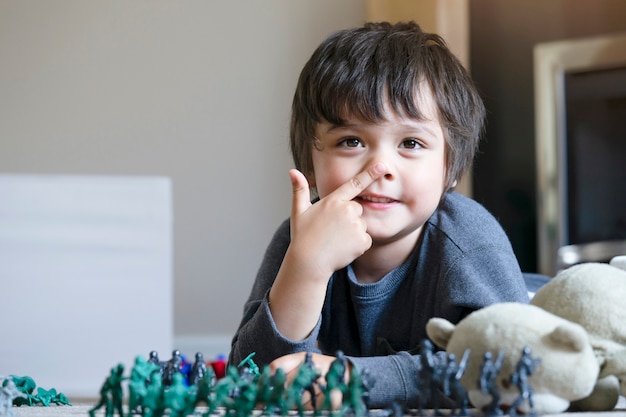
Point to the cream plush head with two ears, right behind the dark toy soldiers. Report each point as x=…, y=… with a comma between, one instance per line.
x=567, y=368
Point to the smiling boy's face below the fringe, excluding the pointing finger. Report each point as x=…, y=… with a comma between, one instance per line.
x=397, y=205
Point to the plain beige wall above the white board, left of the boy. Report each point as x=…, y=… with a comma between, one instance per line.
x=199, y=91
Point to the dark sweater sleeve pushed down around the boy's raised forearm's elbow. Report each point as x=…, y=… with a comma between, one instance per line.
x=257, y=331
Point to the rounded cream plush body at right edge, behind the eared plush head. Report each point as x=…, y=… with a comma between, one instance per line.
x=593, y=295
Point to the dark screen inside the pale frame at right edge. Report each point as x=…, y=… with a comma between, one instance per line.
x=596, y=155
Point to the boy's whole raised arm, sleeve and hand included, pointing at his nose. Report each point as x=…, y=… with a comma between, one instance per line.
x=261, y=328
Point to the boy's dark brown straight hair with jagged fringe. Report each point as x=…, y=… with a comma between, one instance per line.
x=357, y=71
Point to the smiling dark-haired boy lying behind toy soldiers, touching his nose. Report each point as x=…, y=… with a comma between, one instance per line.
x=385, y=120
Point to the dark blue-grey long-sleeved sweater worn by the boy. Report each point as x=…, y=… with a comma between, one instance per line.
x=462, y=262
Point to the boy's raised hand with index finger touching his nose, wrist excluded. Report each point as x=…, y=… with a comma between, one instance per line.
x=331, y=233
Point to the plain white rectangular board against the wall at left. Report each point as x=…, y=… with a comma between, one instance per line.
x=85, y=276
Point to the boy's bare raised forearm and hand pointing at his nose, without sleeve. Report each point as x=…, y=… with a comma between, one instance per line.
x=325, y=237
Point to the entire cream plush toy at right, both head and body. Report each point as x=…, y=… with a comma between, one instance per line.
x=575, y=325
